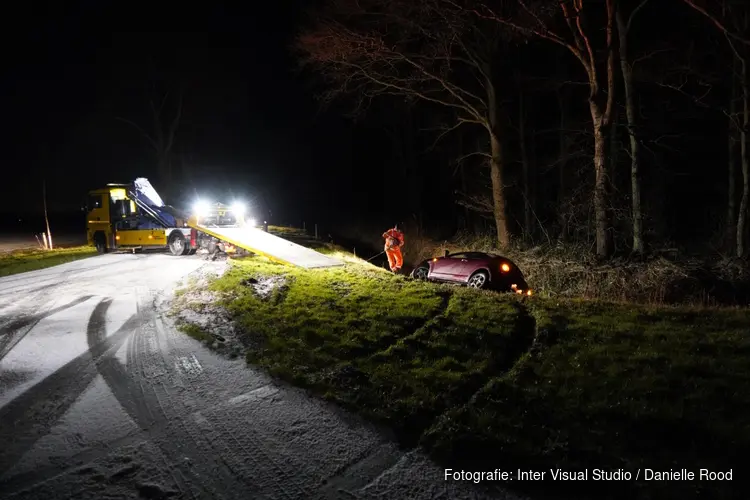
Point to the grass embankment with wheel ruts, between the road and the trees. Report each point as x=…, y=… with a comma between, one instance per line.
x=485, y=380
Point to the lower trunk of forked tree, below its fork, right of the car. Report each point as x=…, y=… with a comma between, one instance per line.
x=600, y=186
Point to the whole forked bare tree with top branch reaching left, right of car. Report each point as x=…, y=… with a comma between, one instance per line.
x=536, y=21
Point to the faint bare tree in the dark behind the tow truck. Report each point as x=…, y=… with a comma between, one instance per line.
x=163, y=130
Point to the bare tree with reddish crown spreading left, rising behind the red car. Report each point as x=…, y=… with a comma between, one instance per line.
x=415, y=50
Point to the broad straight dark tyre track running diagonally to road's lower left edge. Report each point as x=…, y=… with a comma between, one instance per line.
x=31, y=415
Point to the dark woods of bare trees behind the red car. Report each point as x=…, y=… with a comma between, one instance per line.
x=617, y=123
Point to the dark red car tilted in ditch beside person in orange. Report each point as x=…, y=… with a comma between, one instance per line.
x=474, y=269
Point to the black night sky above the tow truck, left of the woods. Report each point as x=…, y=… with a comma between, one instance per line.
x=250, y=122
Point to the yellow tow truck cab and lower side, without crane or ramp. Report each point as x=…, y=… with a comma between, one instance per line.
x=114, y=220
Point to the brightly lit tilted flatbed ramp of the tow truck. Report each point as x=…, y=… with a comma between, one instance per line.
x=260, y=242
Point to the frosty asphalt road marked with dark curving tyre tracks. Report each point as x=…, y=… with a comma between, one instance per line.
x=100, y=397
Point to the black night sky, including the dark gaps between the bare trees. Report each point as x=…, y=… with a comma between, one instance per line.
x=251, y=127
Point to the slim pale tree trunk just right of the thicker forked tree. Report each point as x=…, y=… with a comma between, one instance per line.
x=635, y=174
